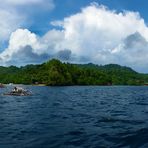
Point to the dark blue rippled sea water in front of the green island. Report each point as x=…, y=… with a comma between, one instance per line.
x=75, y=117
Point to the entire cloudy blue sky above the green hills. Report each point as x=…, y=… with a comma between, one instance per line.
x=76, y=31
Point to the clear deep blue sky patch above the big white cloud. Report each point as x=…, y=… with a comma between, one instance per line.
x=69, y=7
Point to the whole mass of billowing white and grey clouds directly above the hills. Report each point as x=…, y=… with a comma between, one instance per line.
x=96, y=34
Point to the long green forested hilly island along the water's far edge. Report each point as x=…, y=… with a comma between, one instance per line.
x=55, y=73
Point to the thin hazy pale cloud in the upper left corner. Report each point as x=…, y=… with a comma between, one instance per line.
x=15, y=14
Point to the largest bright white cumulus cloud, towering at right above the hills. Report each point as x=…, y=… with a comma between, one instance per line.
x=99, y=34
